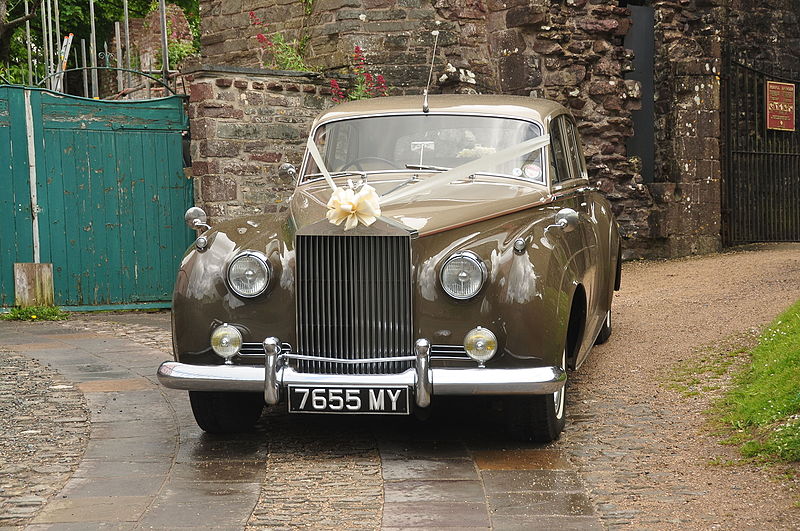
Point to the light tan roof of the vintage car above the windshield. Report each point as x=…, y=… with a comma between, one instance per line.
x=535, y=109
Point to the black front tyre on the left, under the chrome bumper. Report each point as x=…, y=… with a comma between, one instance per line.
x=218, y=412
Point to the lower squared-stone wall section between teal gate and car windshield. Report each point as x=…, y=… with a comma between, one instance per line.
x=244, y=124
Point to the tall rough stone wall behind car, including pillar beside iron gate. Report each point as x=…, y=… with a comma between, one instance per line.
x=568, y=50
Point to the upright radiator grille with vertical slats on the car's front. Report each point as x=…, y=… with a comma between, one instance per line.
x=354, y=302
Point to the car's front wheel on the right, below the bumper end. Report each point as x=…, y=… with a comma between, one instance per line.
x=539, y=418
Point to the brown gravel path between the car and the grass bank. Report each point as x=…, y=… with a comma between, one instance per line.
x=645, y=450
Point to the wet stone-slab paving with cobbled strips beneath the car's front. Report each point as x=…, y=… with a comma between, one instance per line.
x=148, y=466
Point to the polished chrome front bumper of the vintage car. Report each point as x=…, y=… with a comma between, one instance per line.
x=444, y=381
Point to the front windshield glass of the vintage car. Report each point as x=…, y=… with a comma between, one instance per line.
x=425, y=142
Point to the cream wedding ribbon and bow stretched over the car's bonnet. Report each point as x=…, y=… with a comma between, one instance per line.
x=354, y=205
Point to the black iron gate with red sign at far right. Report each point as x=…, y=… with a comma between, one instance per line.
x=761, y=179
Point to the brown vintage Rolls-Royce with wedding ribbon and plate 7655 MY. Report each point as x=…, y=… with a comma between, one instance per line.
x=451, y=247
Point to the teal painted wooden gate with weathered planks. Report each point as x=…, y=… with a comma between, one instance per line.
x=109, y=195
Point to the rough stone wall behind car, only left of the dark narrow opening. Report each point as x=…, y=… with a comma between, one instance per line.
x=569, y=51
